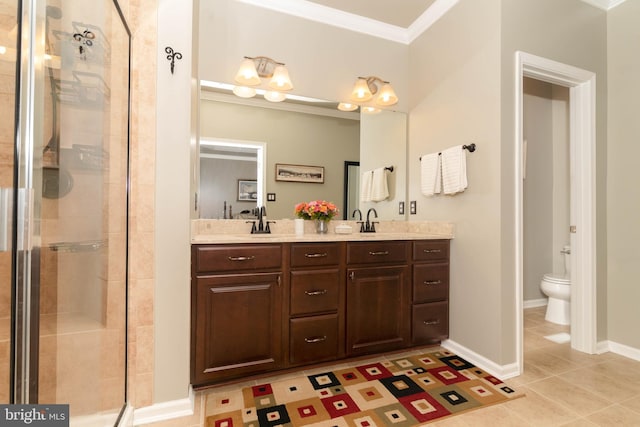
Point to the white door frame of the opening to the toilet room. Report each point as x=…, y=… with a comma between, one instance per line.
x=582, y=95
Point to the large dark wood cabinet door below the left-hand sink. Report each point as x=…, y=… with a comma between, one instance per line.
x=238, y=326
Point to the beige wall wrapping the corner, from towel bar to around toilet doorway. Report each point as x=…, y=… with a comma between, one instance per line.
x=463, y=73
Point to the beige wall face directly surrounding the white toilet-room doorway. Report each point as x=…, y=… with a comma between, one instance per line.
x=574, y=33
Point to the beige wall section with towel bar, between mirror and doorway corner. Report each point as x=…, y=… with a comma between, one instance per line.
x=455, y=71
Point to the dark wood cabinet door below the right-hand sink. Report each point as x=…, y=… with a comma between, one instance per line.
x=377, y=309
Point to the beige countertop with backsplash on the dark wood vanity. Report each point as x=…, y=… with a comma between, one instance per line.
x=212, y=231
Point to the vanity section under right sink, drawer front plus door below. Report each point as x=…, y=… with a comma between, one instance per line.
x=378, y=296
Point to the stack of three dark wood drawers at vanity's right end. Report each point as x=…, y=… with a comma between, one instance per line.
x=430, y=298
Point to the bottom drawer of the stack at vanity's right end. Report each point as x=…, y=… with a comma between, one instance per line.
x=430, y=322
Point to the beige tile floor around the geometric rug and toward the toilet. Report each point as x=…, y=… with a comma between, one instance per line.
x=563, y=388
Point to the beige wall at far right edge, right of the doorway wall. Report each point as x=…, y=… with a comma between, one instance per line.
x=623, y=192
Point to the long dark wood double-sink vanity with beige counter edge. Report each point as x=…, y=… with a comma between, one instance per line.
x=263, y=304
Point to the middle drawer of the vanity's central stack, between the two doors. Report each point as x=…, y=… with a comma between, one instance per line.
x=314, y=291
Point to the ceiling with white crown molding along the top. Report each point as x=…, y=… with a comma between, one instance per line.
x=400, y=21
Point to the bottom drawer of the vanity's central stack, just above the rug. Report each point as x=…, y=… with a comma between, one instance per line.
x=313, y=339
